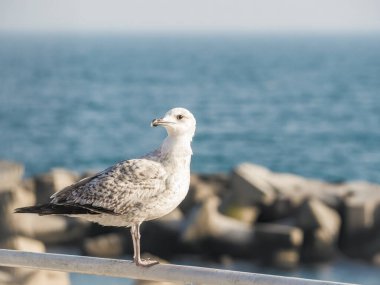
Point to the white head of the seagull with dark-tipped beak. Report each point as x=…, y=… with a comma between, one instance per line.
x=178, y=122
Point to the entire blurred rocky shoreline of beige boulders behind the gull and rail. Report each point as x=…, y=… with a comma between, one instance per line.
x=252, y=213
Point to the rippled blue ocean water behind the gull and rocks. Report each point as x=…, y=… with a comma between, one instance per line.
x=305, y=104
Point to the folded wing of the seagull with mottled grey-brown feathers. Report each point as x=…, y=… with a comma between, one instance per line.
x=116, y=190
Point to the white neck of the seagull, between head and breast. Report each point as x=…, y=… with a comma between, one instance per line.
x=178, y=145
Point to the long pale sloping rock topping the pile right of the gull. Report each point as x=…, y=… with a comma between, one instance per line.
x=255, y=184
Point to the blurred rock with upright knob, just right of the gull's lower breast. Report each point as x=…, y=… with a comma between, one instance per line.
x=215, y=233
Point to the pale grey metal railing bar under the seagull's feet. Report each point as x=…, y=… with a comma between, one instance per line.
x=160, y=272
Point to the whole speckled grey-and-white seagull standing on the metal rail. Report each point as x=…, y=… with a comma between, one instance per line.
x=136, y=190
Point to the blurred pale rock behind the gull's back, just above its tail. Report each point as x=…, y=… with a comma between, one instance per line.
x=49, y=183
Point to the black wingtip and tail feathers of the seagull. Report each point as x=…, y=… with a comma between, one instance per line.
x=54, y=209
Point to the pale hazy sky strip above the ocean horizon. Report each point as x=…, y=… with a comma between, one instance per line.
x=190, y=15
